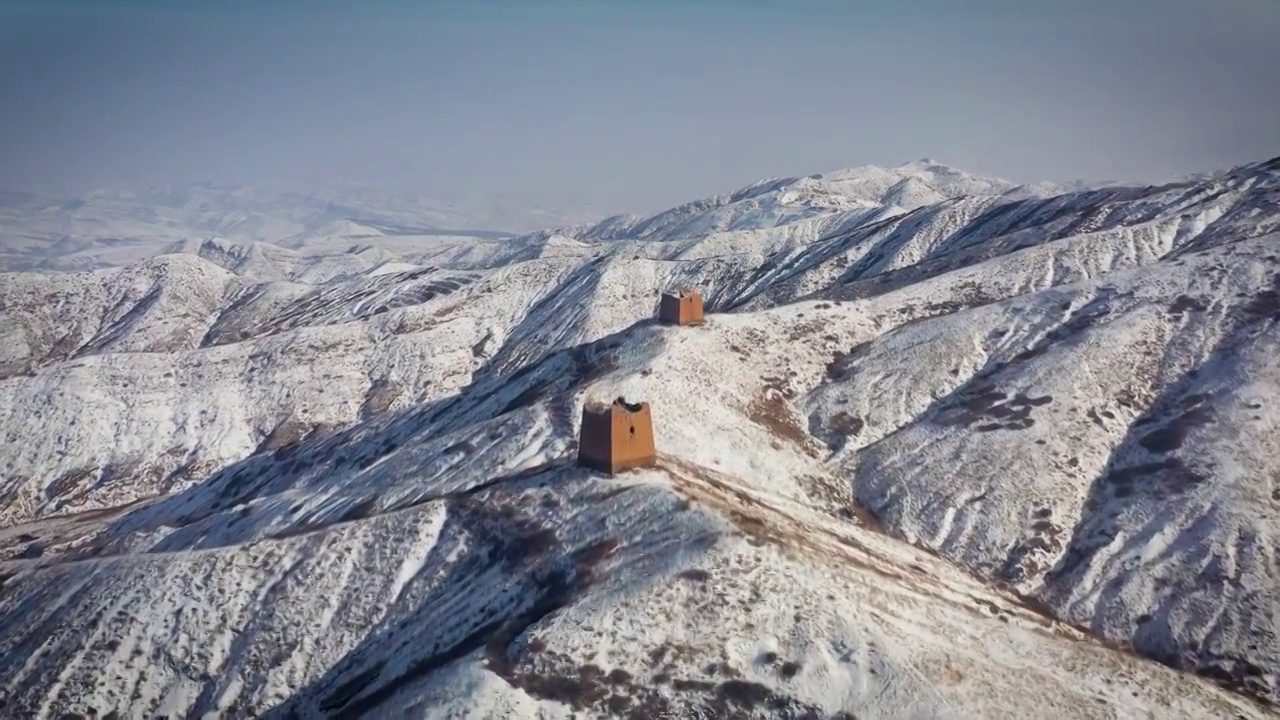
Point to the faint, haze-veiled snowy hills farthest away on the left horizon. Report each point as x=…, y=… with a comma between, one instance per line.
x=120, y=226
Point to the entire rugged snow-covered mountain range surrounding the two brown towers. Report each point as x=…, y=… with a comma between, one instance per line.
x=947, y=448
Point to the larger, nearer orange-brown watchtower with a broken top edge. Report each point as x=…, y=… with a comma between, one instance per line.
x=616, y=438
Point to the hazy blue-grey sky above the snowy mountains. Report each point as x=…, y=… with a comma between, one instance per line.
x=628, y=106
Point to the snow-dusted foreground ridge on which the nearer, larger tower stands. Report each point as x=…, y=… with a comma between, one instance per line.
x=451, y=562
